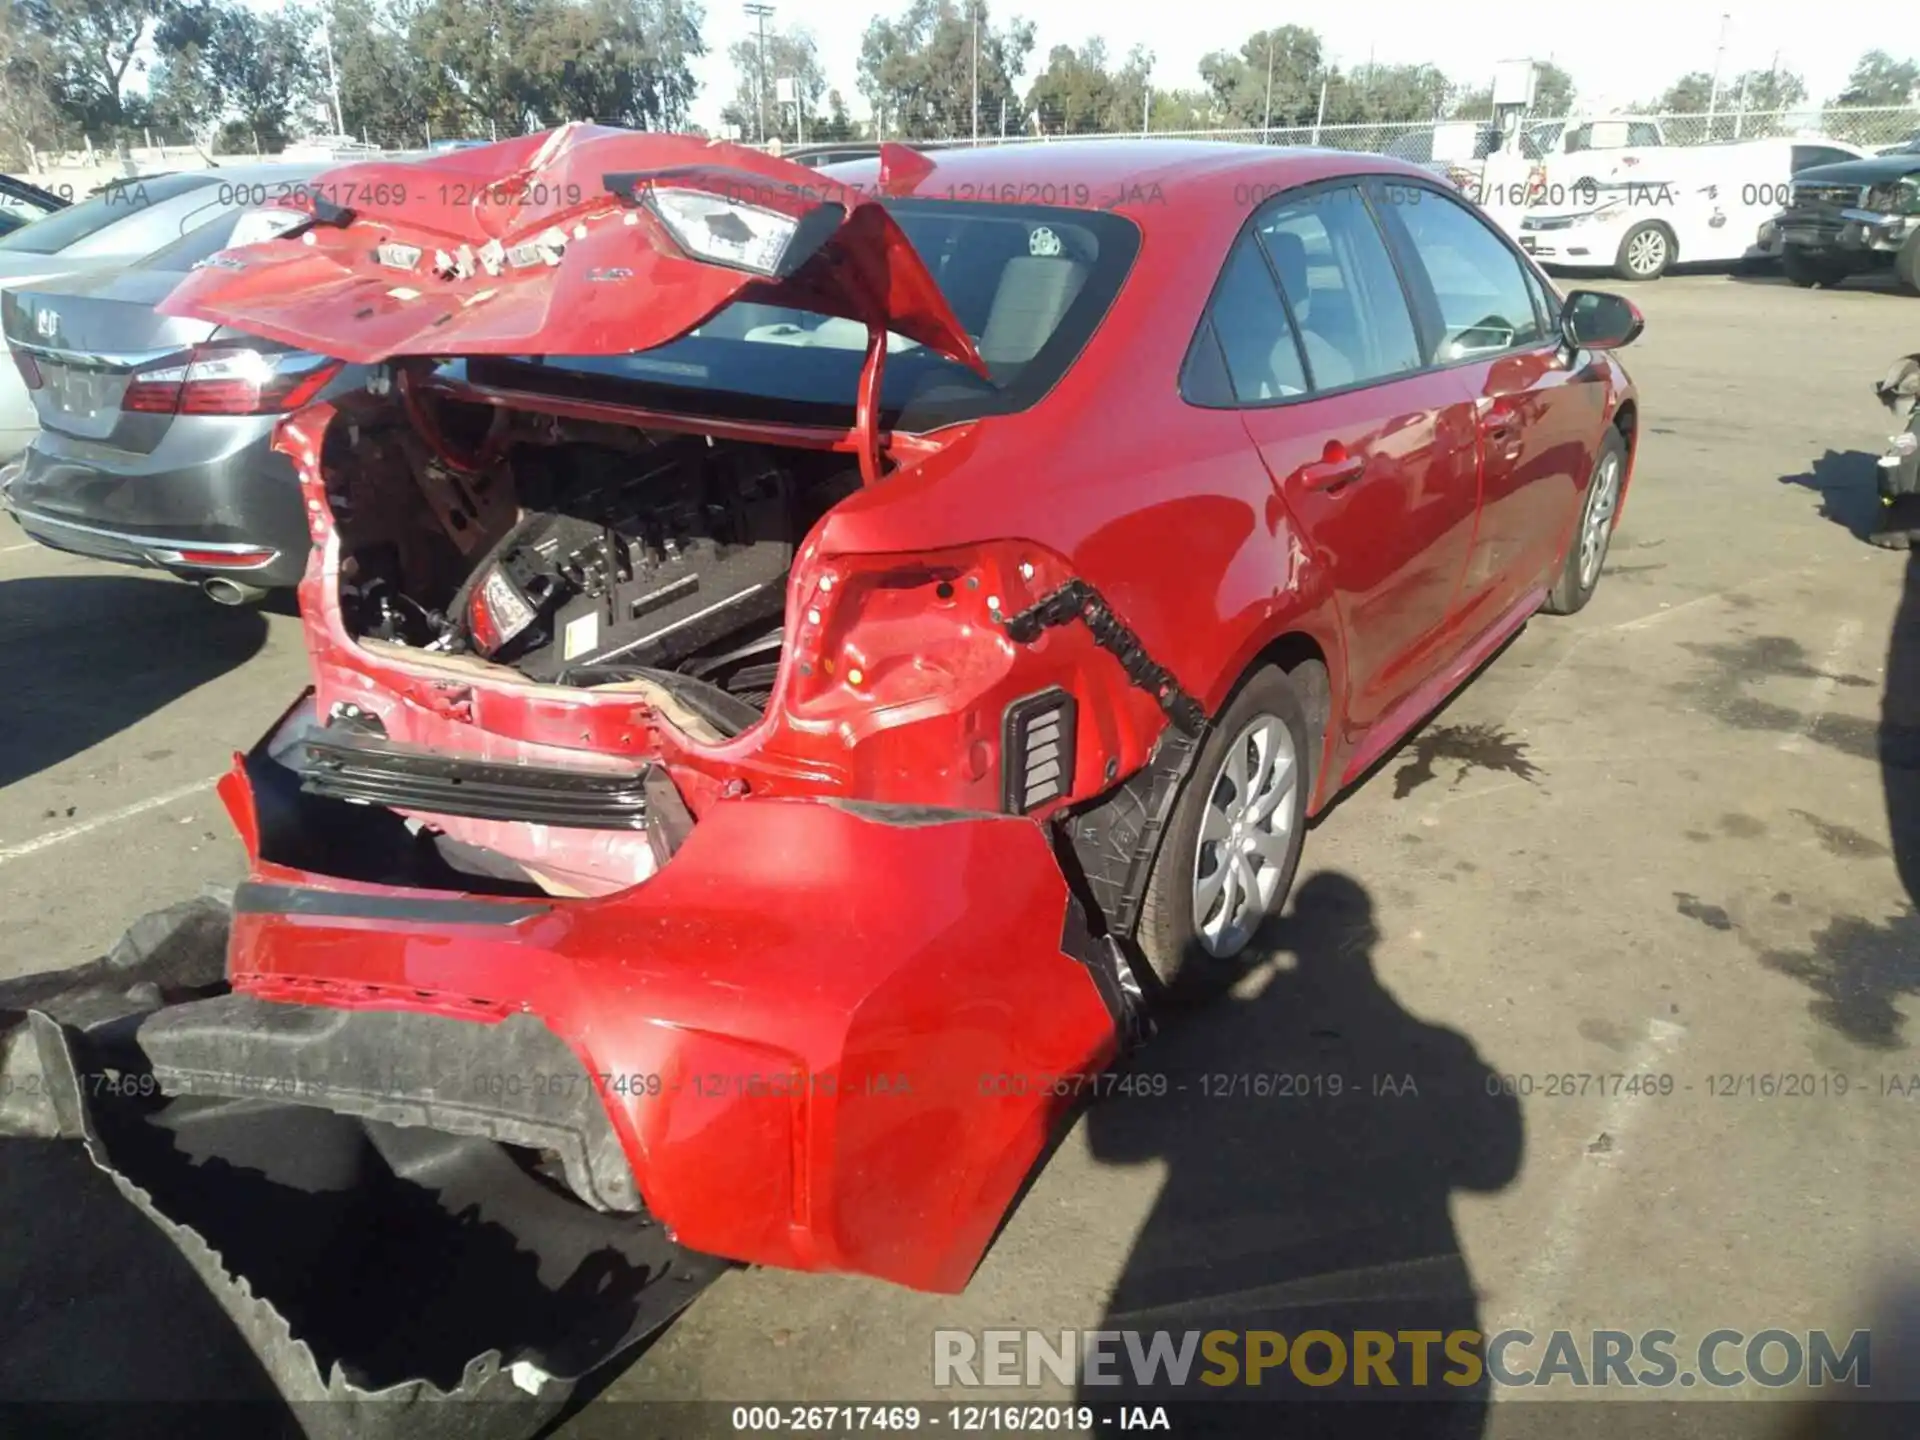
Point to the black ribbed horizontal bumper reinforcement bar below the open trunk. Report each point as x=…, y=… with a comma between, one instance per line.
x=377, y=773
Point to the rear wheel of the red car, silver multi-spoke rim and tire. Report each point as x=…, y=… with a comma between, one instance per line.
x=1249, y=800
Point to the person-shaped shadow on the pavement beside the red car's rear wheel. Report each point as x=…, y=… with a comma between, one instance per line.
x=1312, y=1136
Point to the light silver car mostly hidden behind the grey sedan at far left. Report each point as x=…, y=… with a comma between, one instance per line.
x=112, y=229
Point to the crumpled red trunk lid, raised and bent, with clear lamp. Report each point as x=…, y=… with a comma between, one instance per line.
x=548, y=247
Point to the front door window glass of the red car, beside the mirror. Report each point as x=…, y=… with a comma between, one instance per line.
x=1479, y=285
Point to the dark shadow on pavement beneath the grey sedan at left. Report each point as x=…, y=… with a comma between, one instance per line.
x=105, y=654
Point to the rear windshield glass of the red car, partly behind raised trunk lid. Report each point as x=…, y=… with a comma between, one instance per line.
x=1028, y=283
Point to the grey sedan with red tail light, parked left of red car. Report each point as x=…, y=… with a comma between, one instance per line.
x=155, y=433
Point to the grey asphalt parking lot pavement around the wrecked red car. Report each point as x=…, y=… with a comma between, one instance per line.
x=1677, y=836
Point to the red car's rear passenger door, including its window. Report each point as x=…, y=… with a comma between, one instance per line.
x=1374, y=456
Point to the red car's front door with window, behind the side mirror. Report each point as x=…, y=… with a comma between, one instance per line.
x=1537, y=421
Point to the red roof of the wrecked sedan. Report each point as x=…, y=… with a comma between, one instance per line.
x=1134, y=178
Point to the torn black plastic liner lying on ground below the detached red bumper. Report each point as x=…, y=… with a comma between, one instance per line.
x=383, y=1274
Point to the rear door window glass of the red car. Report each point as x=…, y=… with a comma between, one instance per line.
x=1341, y=287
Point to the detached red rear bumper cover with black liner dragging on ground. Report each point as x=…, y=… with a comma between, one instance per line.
x=431, y=1145
